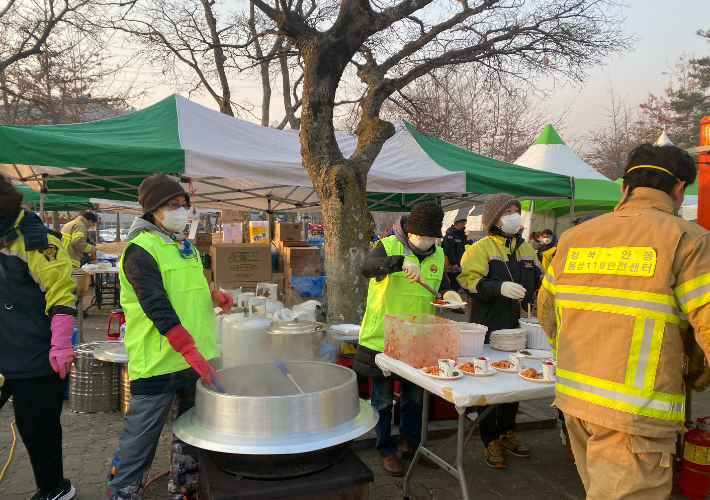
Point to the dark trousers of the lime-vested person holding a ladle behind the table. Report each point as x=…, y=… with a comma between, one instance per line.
x=410, y=414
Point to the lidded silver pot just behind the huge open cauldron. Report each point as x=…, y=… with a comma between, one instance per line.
x=296, y=340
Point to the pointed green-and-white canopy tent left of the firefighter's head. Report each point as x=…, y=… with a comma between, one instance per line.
x=592, y=191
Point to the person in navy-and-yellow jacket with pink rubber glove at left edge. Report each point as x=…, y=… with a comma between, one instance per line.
x=36, y=326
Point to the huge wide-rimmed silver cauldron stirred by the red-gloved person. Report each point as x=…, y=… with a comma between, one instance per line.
x=263, y=419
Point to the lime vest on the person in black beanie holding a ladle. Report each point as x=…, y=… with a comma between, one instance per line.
x=395, y=295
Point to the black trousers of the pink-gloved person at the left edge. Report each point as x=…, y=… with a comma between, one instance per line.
x=37, y=403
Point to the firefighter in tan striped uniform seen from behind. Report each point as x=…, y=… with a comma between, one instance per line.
x=615, y=304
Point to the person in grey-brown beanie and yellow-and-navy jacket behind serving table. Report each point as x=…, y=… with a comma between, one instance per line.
x=501, y=272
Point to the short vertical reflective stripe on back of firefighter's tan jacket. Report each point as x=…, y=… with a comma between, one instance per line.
x=644, y=353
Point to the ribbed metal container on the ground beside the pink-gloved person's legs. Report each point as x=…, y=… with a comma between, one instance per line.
x=94, y=386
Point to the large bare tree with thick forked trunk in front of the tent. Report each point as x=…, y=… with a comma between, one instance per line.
x=391, y=44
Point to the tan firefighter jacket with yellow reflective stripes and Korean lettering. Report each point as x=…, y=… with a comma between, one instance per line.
x=614, y=304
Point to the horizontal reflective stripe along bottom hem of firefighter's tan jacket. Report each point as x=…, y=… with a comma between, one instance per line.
x=621, y=397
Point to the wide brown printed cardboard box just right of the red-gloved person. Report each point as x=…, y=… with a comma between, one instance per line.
x=240, y=262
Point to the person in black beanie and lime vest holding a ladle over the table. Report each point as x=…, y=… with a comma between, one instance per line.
x=393, y=267
